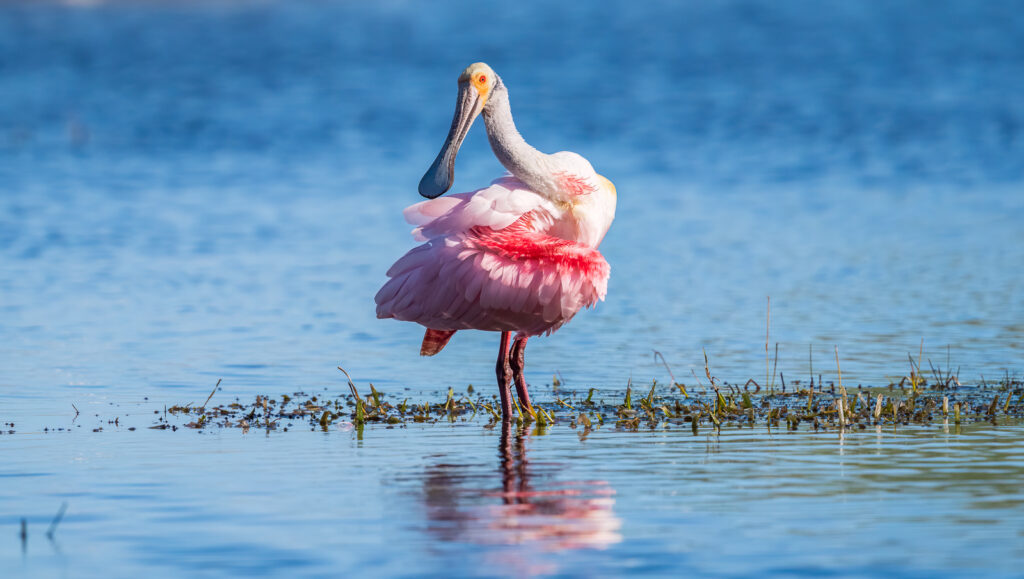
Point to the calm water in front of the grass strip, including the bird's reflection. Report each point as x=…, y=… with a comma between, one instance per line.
x=433, y=501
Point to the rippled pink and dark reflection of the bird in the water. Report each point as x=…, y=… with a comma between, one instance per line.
x=530, y=510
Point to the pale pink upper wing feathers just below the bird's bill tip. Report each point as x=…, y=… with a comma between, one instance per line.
x=497, y=206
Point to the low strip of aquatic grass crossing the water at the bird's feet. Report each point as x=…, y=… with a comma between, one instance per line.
x=839, y=410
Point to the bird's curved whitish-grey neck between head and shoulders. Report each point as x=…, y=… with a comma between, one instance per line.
x=527, y=163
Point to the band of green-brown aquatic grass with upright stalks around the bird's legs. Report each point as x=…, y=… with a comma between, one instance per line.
x=721, y=406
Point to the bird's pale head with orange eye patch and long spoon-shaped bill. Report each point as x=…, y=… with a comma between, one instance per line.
x=476, y=87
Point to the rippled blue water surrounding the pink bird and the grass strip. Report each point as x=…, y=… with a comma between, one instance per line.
x=200, y=191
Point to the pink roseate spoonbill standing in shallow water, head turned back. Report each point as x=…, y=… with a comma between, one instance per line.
x=518, y=257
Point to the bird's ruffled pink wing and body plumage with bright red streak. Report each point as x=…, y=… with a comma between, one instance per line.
x=490, y=264
